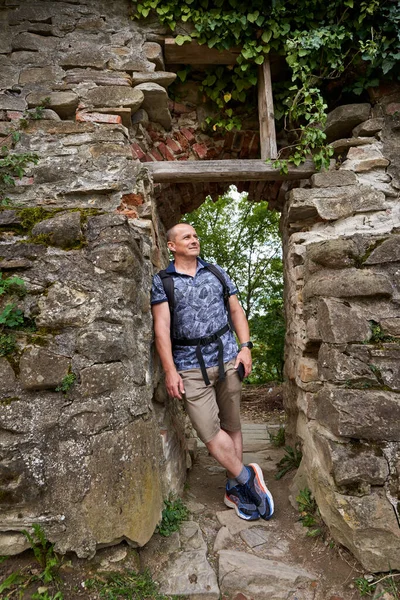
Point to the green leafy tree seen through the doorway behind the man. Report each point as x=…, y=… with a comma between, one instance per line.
x=243, y=237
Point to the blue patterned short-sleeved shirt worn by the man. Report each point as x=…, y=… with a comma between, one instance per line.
x=199, y=311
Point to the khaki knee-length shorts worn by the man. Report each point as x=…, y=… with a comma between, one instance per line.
x=216, y=406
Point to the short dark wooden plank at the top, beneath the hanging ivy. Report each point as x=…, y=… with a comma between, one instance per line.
x=191, y=53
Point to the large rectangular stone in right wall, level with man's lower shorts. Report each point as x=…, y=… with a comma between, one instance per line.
x=372, y=415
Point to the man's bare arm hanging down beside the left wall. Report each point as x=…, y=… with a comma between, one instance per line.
x=162, y=322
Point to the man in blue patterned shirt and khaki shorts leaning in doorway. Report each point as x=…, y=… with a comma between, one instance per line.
x=200, y=361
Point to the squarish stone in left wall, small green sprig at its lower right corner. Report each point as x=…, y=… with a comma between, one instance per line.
x=42, y=370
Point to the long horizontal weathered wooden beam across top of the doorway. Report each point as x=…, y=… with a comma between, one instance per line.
x=193, y=171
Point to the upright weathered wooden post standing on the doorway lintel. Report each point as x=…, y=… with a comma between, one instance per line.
x=266, y=112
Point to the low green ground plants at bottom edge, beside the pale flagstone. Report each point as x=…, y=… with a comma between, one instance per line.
x=129, y=585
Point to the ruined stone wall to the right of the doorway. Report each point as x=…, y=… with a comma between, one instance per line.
x=342, y=255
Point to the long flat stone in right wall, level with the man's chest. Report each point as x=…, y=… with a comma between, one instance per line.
x=352, y=283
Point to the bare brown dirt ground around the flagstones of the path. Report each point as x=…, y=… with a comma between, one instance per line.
x=336, y=568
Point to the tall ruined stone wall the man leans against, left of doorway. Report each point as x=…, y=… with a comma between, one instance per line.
x=92, y=462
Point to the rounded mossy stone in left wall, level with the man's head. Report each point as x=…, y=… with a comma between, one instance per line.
x=64, y=230
